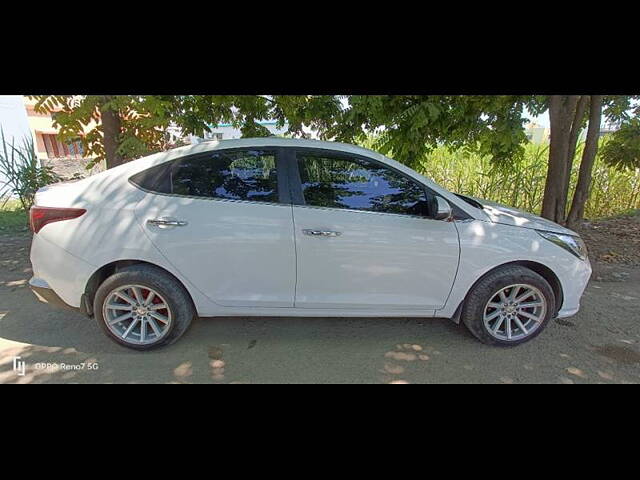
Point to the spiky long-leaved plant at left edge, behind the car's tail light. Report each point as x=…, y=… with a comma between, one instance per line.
x=23, y=172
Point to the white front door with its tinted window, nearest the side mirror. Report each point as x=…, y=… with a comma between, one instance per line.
x=365, y=236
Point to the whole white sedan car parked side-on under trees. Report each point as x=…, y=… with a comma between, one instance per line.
x=286, y=227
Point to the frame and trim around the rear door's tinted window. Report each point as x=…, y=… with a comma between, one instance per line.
x=282, y=176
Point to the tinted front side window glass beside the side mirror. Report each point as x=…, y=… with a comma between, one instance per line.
x=358, y=184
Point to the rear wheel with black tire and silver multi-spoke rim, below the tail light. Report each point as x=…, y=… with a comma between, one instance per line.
x=146, y=279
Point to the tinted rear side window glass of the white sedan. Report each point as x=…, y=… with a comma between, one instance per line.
x=235, y=175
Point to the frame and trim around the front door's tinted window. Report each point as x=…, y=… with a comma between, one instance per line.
x=295, y=180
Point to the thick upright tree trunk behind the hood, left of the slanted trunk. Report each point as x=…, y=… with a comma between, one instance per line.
x=562, y=109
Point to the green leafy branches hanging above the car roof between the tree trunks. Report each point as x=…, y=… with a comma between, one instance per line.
x=407, y=126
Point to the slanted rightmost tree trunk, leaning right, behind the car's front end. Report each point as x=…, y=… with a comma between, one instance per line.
x=576, y=214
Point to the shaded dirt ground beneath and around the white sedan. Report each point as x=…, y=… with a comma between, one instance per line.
x=601, y=344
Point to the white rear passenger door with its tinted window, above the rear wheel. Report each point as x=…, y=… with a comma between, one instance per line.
x=223, y=219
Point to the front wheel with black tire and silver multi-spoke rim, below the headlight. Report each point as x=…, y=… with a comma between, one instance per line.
x=477, y=313
